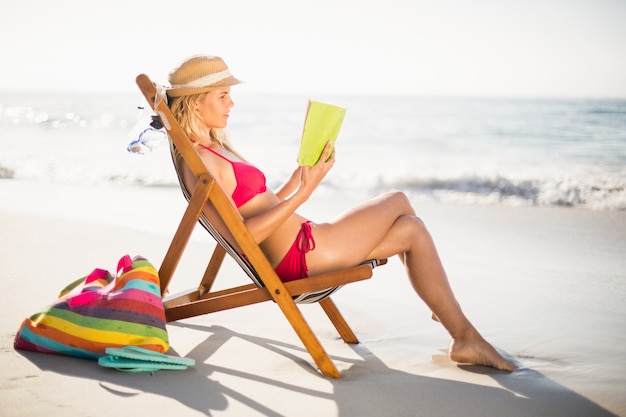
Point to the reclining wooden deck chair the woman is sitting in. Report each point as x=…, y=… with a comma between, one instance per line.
x=208, y=205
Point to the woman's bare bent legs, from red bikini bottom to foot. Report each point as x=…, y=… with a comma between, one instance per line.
x=388, y=226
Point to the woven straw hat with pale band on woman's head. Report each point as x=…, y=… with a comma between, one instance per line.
x=199, y=74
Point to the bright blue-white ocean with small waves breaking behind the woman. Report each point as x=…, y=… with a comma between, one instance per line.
x=515, y=152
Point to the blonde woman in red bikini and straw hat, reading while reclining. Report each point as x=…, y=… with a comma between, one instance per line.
x=200, y=99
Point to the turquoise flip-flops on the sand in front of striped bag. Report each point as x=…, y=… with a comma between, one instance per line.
x=136, y=359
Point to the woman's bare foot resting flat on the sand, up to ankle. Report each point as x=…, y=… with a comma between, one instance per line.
x=475, y=350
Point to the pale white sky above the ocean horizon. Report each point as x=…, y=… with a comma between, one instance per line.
x=503, y=48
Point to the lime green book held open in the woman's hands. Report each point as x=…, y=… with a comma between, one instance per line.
x=321, y=124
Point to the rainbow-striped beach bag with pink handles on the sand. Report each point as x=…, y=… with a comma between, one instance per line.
x=101, y=311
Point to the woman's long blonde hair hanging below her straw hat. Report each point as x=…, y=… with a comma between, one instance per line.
x=183, y=110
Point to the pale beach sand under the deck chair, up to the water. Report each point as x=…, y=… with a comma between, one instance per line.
x=544, y=285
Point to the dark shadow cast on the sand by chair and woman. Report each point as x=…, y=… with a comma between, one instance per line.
x=368, y=386
